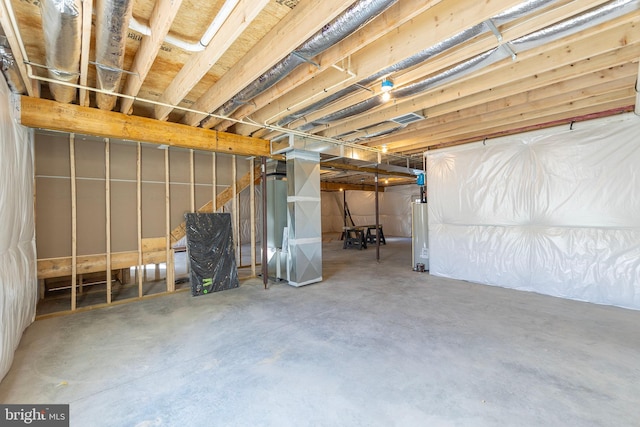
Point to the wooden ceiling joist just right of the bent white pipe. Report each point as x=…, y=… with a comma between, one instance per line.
x=200, y=63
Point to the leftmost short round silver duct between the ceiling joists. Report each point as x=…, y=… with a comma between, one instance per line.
x=62, y=27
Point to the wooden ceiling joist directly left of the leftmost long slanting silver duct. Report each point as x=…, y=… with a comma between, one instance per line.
x=296, y=27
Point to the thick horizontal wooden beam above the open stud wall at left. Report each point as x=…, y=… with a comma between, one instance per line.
x=40, y=113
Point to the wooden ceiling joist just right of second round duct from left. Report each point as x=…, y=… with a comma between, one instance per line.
x=160, y=22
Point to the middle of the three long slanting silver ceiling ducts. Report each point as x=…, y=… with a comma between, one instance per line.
x=463, y=36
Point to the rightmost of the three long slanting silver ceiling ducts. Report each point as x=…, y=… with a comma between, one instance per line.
x=592, y=17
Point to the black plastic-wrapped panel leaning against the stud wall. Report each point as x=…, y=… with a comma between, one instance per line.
x=212, y=258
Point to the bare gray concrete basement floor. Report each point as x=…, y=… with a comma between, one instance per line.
x=373, y=344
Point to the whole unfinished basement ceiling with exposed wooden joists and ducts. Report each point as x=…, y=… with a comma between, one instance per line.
x=460, y=70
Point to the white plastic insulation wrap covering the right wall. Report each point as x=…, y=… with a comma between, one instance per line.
x=554, y=212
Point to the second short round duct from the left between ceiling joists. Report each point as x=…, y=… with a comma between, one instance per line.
x=112, y=21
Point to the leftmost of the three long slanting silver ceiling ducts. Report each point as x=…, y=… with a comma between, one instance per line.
x=353, y=18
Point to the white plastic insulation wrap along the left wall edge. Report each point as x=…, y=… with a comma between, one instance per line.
x=18, y=282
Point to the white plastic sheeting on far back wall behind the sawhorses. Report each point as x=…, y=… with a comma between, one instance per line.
x=394, y=205
